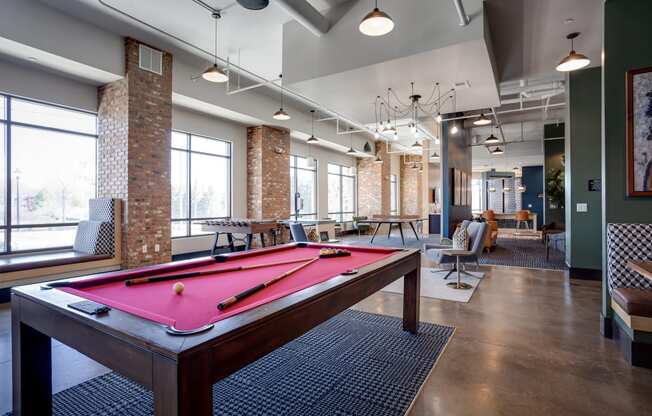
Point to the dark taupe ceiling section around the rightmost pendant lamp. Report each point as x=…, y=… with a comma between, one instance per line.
x=529, y=36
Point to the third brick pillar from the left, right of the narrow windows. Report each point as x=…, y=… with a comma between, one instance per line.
x=374, y=184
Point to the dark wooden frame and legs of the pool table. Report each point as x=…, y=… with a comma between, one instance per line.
x=180, y=370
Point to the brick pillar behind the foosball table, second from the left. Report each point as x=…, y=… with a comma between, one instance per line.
x=268, y=172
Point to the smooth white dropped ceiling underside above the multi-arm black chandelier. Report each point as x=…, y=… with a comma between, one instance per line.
x=354, y=92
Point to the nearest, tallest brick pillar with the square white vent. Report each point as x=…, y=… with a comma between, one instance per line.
x=135, y=123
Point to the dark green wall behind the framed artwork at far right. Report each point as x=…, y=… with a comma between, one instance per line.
x=627, y=34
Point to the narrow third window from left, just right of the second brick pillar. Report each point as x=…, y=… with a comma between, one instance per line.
x=303, y=188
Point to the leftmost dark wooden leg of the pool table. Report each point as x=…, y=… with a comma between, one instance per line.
x=32, y=368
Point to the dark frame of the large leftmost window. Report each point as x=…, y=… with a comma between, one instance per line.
x=7, y=123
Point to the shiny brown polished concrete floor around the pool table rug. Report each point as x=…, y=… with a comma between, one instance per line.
x=528, y=343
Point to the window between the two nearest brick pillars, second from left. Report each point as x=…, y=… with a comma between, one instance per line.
x=201, y=182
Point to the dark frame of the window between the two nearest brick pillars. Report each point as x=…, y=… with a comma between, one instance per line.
x=188, y=153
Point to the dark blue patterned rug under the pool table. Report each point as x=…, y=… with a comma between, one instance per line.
x=356, y=363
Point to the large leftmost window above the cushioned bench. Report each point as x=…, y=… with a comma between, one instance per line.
x=47, y=173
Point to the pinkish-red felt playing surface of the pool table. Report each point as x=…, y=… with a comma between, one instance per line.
x=197, y=305
